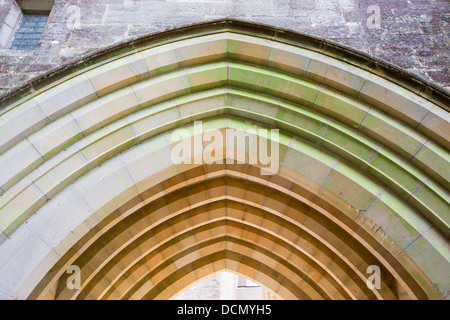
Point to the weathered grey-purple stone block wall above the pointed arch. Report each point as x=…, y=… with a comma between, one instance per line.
x=413, y=34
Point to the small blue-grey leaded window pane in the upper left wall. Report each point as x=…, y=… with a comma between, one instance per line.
x=29, y=32
